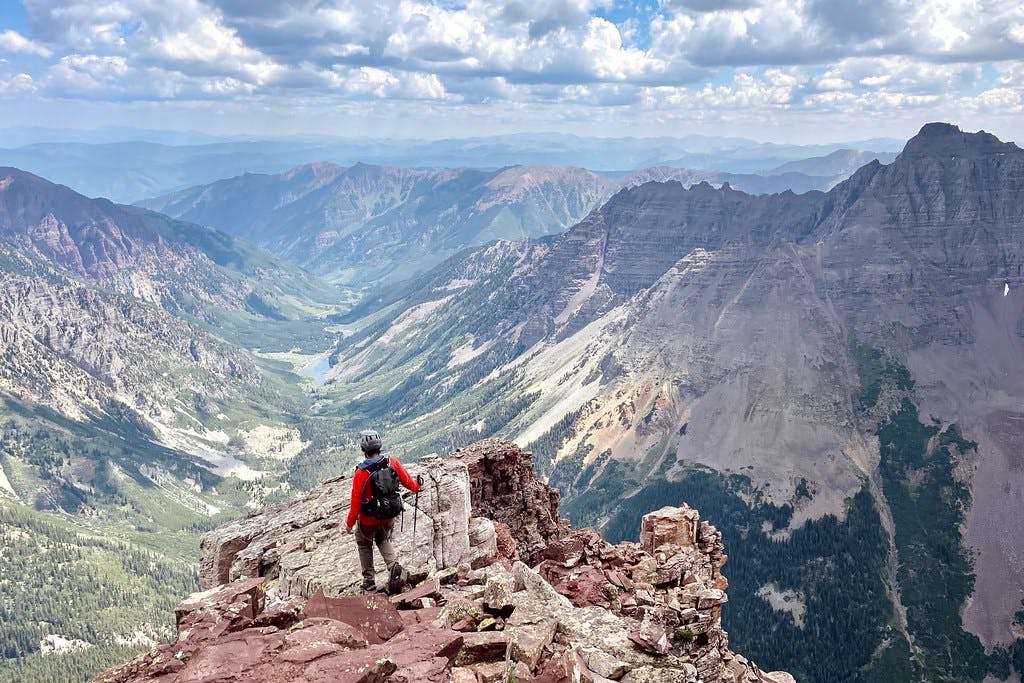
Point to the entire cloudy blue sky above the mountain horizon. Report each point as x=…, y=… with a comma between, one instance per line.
x=796, y=71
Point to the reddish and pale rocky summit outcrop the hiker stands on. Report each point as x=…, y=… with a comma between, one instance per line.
x=514, y=596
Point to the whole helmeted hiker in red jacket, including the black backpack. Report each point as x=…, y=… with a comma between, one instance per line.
x=372, y=519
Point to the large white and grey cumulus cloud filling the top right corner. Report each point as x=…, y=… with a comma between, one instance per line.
x=780, y=32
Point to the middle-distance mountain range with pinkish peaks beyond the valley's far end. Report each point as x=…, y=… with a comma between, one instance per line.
x=366, y=225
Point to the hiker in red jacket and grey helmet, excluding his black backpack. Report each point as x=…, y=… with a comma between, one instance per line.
x=371, y=530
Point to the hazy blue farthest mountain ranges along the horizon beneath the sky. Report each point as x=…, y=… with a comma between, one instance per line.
x=155, y=163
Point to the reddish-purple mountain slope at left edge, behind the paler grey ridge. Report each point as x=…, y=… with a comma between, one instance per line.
x=140, y=253
